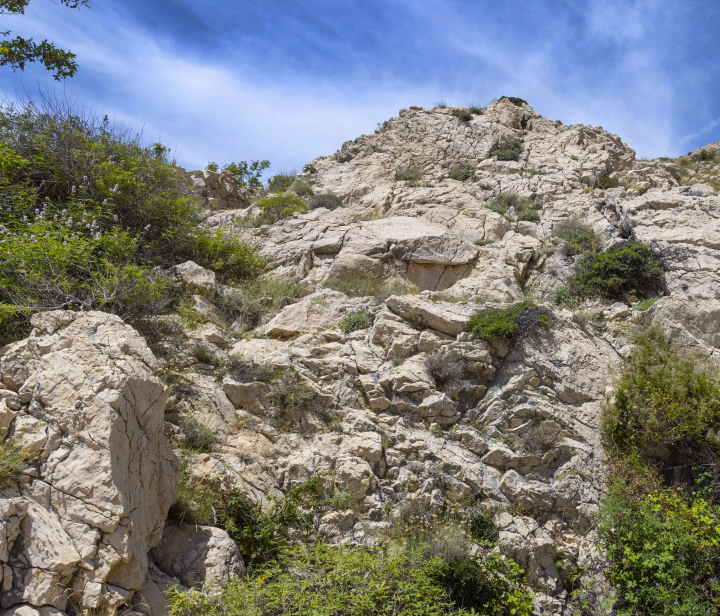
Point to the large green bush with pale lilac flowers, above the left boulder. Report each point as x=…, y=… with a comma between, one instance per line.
x=88, y=213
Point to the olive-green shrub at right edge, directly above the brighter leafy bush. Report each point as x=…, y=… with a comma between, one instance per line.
x=664, y=394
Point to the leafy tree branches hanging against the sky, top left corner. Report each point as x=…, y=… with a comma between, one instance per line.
x=19, y=51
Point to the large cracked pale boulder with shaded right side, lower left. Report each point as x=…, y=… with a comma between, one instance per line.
x=78, y=526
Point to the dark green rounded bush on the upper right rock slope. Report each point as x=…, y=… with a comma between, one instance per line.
x=624, y=269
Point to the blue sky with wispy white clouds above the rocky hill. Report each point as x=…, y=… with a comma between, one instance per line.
x=228, y=80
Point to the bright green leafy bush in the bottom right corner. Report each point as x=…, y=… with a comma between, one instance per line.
x=664, y=550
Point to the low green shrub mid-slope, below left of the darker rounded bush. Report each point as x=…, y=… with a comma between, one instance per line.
x=509, y=323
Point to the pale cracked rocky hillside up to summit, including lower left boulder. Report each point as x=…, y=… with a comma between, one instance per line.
x=358, y=364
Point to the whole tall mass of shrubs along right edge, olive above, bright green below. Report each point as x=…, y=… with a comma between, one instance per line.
x=661, y=521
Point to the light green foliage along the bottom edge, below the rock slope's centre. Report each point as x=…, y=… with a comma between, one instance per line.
x=326, y=580
